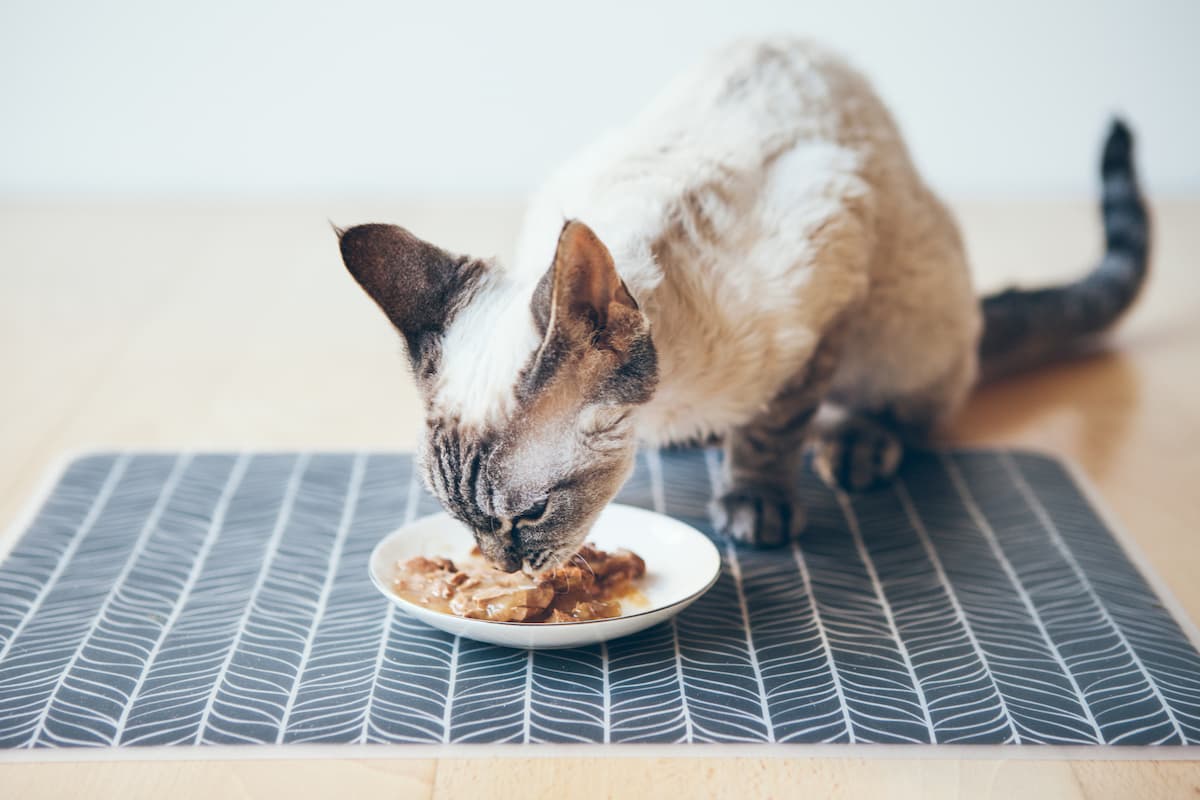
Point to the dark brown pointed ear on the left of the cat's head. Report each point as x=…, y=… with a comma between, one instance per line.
x=416, y=284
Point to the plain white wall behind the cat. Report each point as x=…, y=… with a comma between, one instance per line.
x=401, y=99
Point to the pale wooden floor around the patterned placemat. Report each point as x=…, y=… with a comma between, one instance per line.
x=235, y=326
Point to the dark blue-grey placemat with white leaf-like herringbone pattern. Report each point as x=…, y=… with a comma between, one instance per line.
x=175, y=599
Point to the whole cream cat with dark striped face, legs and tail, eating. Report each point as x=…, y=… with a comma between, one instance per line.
x=753, y=249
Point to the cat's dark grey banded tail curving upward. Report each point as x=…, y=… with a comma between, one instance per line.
x=1024, y=328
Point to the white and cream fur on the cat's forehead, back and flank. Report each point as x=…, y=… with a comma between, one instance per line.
x=761, y=199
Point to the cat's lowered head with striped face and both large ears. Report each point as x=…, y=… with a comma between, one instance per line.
x=530, y=384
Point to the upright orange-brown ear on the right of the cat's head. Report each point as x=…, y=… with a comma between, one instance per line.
x=583, y=298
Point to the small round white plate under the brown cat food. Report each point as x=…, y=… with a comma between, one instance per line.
x=681, y=566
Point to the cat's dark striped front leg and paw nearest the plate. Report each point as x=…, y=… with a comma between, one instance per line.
x=757, y=500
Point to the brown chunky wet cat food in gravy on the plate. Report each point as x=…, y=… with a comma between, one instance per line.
x=591, y=587
